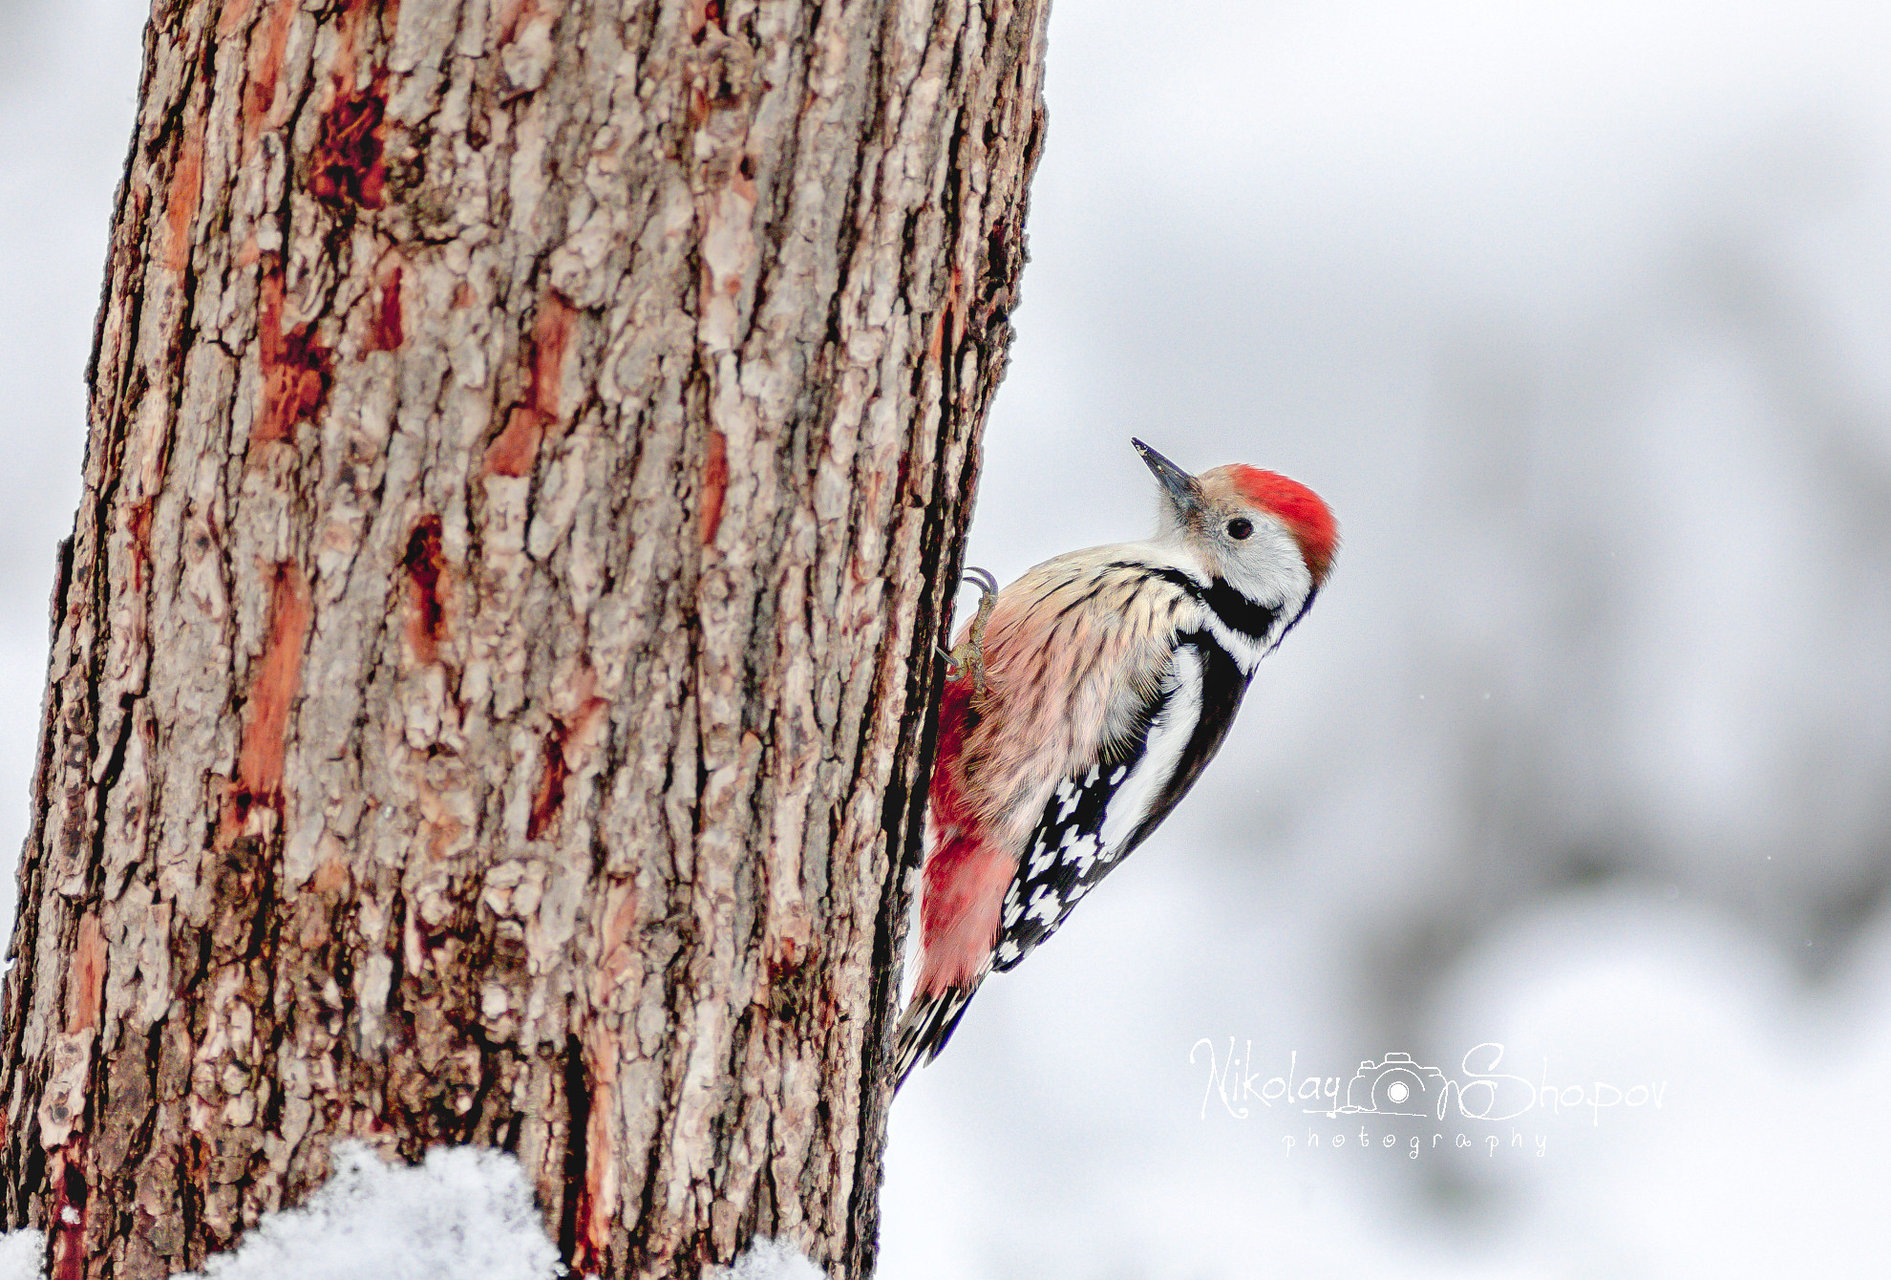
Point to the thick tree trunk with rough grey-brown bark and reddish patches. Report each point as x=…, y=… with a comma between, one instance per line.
x=530, y=449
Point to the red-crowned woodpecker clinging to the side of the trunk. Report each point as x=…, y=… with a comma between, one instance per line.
x=1084, y=701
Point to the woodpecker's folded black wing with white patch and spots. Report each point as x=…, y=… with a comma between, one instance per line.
x=1102, y=814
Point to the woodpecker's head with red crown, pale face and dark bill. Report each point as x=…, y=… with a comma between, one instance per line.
x=1266, y=536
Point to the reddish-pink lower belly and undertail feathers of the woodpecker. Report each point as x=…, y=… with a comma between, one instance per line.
x=965, y=876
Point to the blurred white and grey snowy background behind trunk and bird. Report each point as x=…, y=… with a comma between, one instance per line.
x=1580, y=317
